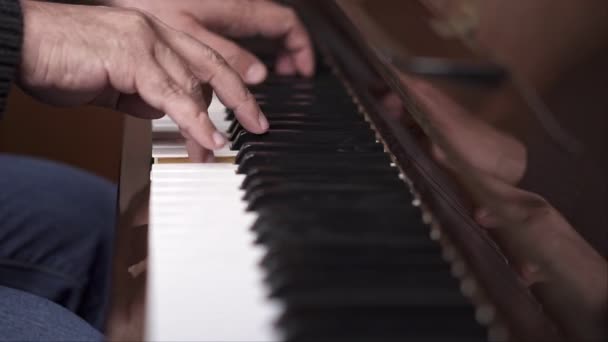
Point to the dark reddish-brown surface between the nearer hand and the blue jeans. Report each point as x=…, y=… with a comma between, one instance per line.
x=84, y=137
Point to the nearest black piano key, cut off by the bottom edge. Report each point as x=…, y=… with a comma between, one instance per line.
x=382, y=324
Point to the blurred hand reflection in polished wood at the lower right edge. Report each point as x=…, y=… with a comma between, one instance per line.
x=568, y=276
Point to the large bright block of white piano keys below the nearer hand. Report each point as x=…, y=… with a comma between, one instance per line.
x=204, y=281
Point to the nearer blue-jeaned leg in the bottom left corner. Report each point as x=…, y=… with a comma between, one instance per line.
x=25, y=317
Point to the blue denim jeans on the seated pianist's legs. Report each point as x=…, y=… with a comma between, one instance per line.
x=56, y=236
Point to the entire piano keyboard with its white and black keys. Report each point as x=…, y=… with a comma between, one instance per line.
x=310, y=236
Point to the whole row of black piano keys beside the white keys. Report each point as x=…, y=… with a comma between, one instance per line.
x=346, y=252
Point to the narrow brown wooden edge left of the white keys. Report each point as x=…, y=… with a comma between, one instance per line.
x=130, y=241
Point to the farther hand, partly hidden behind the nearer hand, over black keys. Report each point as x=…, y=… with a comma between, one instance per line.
x=205, y=20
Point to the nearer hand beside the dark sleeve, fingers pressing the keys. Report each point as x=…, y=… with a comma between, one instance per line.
x=132, y=62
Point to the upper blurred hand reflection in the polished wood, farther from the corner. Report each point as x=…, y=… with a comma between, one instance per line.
x=456, y=134
